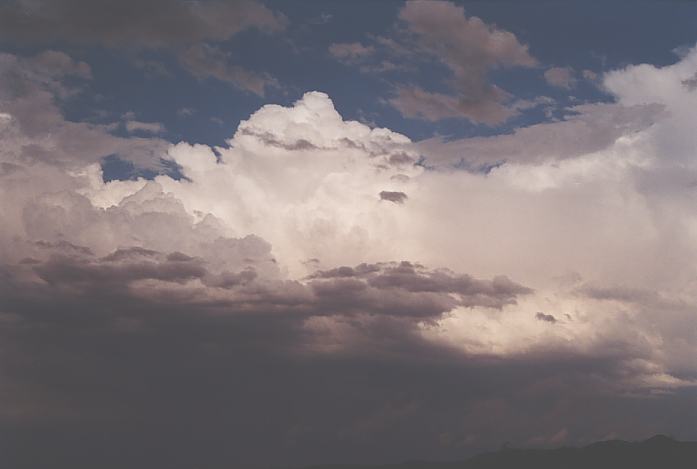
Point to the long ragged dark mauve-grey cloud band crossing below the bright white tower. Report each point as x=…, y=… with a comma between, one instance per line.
x=396, y=290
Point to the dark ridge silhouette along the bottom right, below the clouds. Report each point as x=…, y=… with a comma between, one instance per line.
x=658, y=452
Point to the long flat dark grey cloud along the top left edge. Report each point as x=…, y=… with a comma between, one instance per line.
x=133, y=23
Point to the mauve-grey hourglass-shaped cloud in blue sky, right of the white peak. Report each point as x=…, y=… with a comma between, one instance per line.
x=470, y=49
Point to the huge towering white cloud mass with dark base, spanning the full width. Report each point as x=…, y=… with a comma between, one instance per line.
x=132, y=312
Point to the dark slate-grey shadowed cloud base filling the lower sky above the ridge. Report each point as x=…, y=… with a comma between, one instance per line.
x=167, y=381
